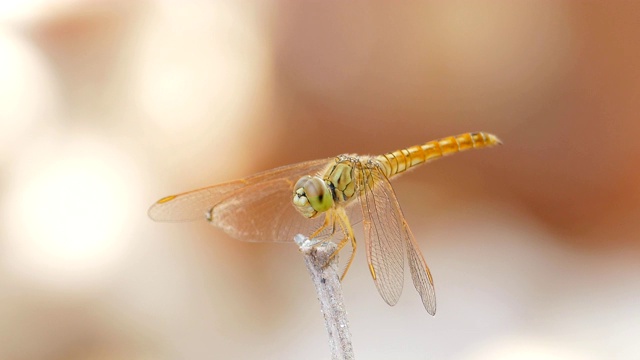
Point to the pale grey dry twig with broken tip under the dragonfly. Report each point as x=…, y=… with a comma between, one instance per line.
x=327, y=282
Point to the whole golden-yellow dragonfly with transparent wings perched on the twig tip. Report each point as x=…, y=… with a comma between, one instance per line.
x=323, y=199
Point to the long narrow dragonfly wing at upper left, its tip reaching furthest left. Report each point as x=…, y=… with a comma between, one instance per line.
x=194, y=205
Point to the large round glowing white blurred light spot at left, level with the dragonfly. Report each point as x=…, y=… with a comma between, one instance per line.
x=68, y=213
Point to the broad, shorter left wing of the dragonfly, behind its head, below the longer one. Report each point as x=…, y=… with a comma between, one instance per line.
x=263, y=212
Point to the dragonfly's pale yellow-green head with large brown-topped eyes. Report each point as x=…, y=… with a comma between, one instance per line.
x=311, y=195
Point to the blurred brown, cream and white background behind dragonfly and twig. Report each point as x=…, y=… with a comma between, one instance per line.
x=106, y=106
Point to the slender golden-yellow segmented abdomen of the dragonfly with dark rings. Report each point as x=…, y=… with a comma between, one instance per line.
x=399, y=161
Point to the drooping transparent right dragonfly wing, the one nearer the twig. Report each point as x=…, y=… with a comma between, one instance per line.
x=384, y=233
